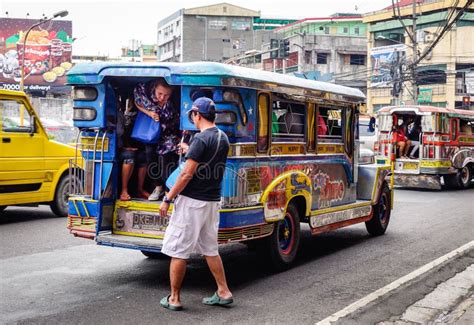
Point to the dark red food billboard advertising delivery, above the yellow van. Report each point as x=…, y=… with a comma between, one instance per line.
x=47, y=54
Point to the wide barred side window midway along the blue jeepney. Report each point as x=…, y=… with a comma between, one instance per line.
x=288, y=121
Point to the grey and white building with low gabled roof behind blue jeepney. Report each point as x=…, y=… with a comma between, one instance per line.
x=210, y=33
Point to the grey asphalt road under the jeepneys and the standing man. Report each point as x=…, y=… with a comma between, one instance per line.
x=50, y=277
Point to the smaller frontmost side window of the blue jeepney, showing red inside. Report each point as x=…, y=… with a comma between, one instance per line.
x=329, y=124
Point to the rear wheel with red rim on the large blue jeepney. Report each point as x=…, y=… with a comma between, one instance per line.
x=282, y=246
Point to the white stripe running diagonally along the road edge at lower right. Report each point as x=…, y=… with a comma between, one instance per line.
x=378, y=294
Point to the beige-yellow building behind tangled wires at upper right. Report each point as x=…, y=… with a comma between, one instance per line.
x=445, y=75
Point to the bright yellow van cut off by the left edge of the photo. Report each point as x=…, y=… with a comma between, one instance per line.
x=33, y=169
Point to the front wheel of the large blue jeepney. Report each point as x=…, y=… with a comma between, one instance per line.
x=378, y=224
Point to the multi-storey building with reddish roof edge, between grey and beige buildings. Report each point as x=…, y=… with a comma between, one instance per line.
x=330, y=49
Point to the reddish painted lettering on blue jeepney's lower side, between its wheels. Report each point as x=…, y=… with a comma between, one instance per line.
x=330, y=190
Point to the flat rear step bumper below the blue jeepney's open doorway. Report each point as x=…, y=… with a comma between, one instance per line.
x=140, y=243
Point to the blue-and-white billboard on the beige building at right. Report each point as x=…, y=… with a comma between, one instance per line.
x=386, y=61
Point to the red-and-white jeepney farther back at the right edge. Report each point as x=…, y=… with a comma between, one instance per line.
x=446, y=146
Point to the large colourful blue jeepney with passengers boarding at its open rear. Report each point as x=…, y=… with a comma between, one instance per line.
x=284, y=166
